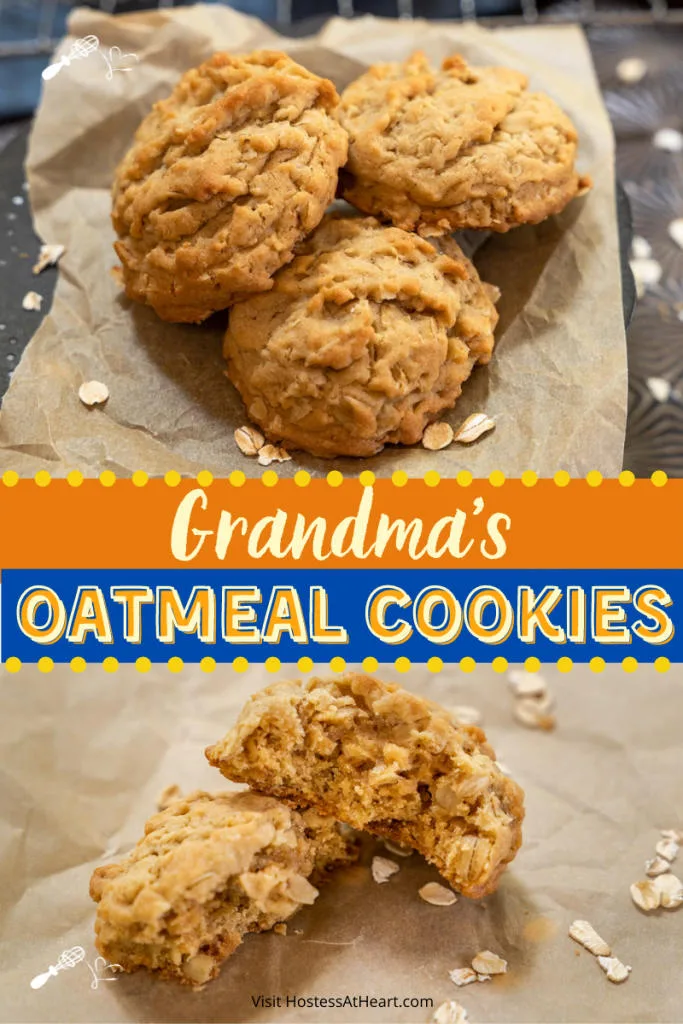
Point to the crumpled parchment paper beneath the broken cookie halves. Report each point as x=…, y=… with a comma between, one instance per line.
x=84, y=758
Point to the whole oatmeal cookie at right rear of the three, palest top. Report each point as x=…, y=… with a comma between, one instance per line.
x=458, y=148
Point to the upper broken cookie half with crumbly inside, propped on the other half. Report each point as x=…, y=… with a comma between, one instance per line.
x=379, y=758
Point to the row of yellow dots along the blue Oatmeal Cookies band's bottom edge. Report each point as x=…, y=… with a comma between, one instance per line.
x=338, y=665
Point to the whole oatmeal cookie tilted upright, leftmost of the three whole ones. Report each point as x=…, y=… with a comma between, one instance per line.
x=223, y=180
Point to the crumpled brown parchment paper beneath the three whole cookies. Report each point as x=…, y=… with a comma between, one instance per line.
x=557, y=387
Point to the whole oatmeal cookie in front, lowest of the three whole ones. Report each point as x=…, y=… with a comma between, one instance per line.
x=367, y=336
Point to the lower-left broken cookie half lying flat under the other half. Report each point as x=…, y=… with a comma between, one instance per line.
x=209, y=870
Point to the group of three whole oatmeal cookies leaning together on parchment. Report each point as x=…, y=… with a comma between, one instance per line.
x=347, y=333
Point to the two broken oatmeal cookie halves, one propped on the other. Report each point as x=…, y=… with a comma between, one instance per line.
x=323, y=758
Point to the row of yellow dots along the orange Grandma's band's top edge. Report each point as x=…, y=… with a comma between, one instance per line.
x=366, y=478
